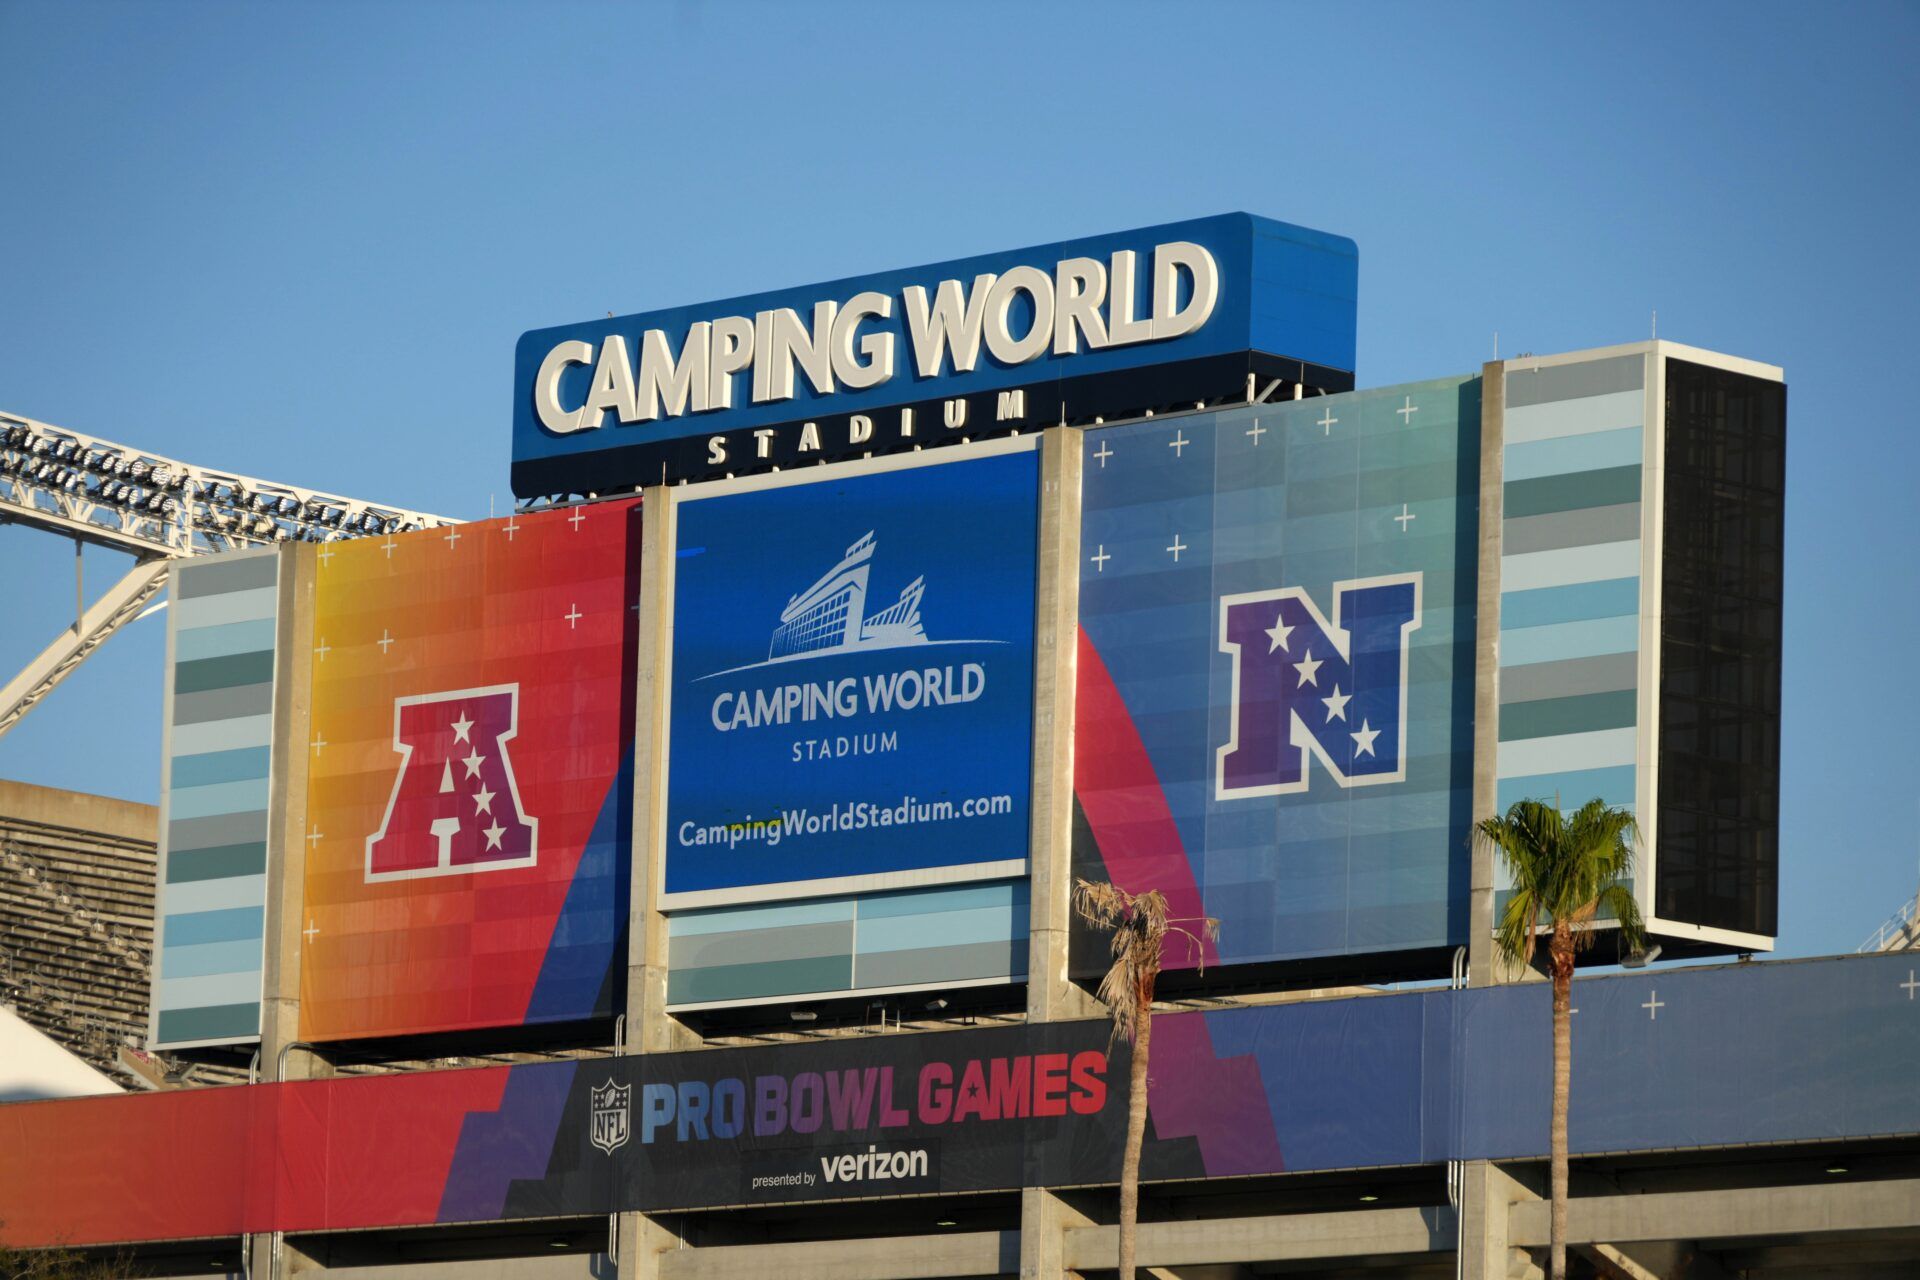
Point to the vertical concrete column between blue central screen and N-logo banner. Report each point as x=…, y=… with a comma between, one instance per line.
x=1055, y=646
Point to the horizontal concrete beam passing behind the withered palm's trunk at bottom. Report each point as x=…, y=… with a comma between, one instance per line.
x=1270, y=1239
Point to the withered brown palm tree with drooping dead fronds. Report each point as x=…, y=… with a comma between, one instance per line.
x=1141, y=928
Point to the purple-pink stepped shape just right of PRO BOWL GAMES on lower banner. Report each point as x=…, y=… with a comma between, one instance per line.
x=1220, y=1102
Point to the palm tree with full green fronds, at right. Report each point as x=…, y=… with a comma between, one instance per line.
x=1566, y=874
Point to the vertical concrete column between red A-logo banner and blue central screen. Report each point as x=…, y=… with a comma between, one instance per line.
x=650, y=1030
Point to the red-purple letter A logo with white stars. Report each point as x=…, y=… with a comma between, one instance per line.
x=456, y=807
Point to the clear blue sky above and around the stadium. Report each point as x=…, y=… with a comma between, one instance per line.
x=300, y=241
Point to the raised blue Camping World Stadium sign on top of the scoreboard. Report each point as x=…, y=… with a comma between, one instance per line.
x=1101, y=327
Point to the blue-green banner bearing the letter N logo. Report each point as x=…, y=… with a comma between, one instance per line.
x=1274, y=715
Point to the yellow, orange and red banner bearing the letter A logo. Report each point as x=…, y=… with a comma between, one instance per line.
x=469, y=794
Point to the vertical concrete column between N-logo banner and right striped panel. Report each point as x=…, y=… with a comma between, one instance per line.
x=1483, y=968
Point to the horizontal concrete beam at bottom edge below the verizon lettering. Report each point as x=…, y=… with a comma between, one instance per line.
x=898, y=1258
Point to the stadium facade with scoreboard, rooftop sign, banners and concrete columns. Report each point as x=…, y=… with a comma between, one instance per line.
x=757, y=899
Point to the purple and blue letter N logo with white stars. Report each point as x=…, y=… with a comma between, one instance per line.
x=1305, y=686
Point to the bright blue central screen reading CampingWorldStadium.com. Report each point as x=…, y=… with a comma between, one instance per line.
x=853, y=678
